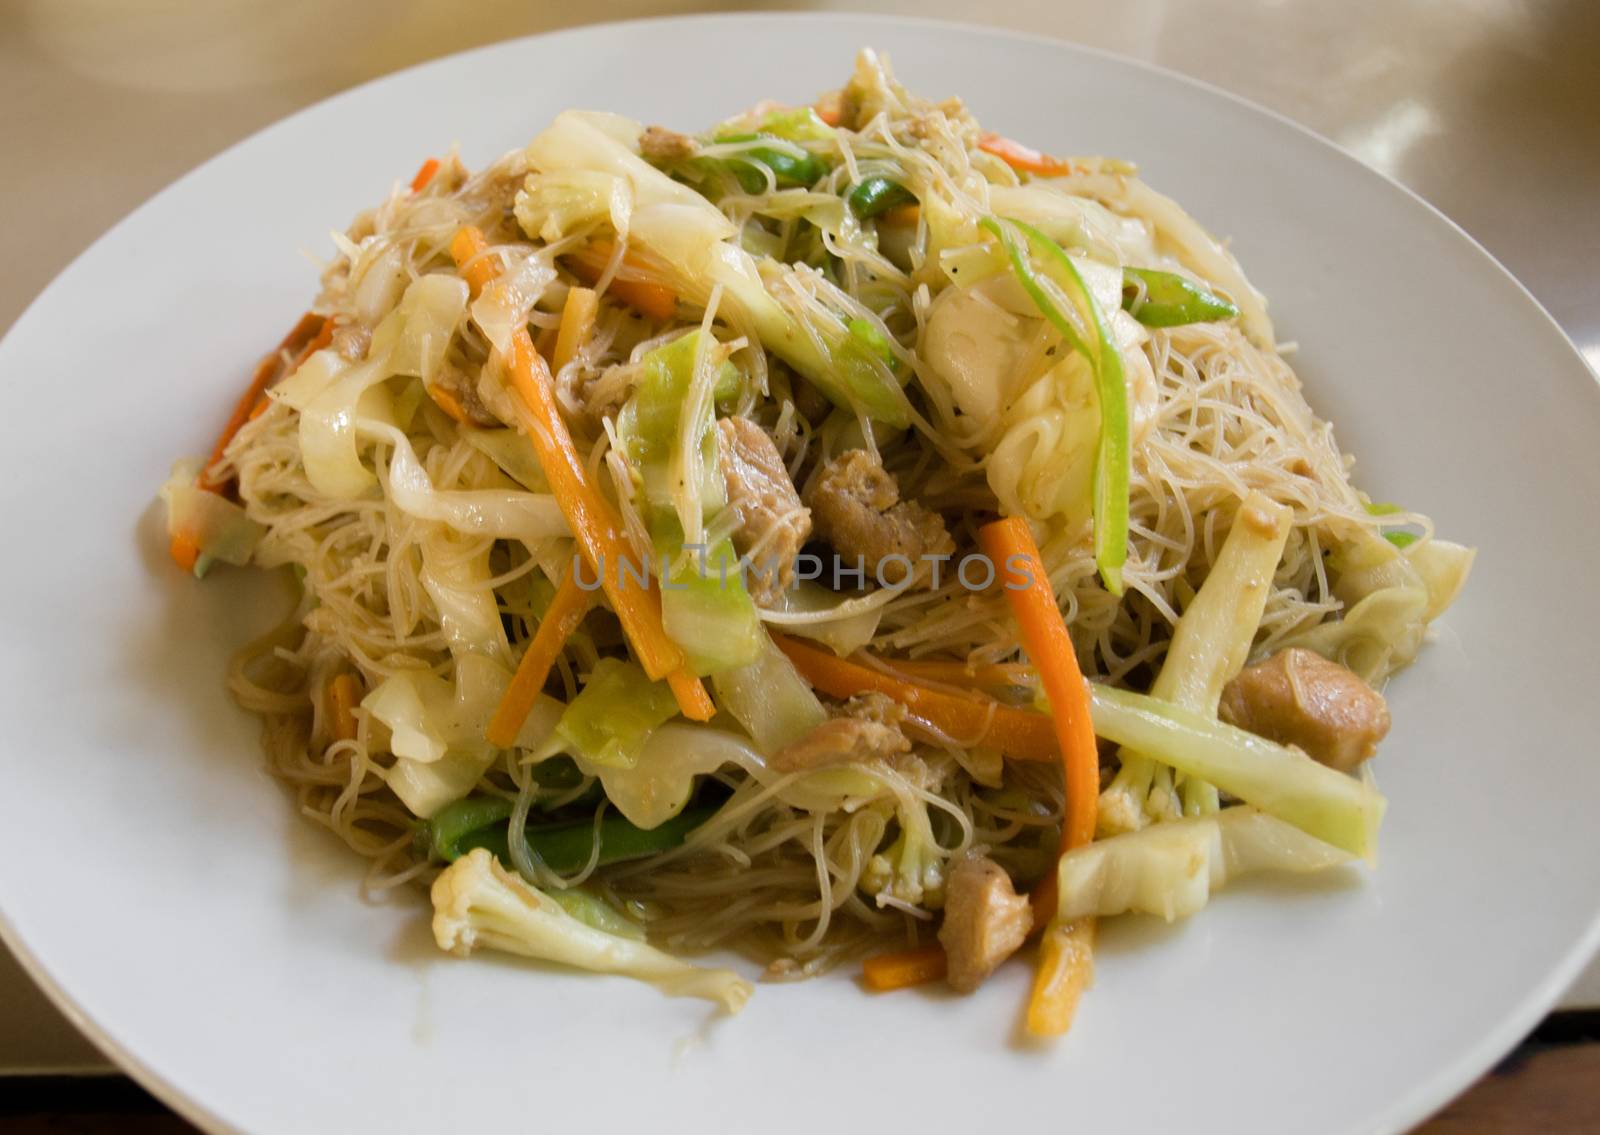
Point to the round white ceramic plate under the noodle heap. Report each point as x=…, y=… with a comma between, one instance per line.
x=212, y=942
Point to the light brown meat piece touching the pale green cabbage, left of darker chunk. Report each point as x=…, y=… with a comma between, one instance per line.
x=772, y=521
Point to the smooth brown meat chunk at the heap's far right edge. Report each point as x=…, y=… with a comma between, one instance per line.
x=1298, y=697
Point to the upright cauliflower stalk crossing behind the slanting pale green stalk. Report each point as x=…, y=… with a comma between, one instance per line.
x=1210, y=646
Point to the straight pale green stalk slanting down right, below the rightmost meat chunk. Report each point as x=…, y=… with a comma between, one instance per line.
x=1282, y=782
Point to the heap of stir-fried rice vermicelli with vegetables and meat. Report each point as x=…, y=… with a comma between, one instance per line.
x=918, y=327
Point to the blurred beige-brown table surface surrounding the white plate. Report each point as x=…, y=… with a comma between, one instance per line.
x=1489, y=110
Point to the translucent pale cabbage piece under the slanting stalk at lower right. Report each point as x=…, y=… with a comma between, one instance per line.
x=1172, y=868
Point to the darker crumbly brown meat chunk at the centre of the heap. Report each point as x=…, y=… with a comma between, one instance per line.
x=857, y=508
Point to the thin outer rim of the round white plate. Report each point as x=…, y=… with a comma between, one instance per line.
x=1404, y=1110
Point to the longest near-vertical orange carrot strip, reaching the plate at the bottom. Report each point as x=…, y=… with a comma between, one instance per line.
x=1065, y=958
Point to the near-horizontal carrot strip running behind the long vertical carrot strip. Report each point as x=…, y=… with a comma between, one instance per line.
x=970, y=718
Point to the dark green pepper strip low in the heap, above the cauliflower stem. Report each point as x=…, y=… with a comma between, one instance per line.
x=564, y=848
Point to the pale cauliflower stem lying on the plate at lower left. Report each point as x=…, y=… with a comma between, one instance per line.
x=478, y=904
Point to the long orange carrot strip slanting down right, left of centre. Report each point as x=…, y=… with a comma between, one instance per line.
x=591, y=518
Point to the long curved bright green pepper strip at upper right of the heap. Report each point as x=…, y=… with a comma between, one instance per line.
x=1039, y=262
